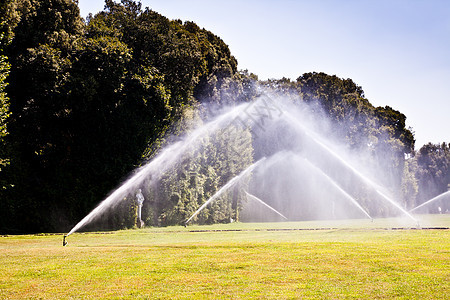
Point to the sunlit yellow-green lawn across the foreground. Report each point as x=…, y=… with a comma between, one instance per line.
x=357, y=259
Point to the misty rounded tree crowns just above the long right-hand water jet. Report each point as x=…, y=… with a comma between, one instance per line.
x=381, y=131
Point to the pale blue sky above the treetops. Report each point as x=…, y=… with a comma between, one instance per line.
x=397, y=50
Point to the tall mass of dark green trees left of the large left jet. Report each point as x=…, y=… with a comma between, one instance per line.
x=87, y=100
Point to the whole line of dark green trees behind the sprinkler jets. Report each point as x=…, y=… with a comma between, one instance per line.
x=84, y=102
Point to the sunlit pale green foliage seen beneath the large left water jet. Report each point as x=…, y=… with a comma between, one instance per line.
x=198, y=175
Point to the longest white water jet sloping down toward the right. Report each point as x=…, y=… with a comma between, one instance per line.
x=374, y=185
